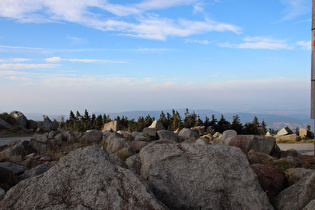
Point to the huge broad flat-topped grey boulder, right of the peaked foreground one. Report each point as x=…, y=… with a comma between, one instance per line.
x=190, y=176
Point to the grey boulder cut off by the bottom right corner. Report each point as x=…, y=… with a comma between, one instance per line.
x=297, y=196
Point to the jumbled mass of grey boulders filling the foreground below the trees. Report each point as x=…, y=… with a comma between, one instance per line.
x=157, y=169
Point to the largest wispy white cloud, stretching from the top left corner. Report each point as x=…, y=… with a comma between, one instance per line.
x=78, y=11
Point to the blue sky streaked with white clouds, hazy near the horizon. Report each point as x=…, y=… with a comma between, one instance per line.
x=112, y=56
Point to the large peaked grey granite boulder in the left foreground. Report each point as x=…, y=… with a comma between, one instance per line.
x=84, y=179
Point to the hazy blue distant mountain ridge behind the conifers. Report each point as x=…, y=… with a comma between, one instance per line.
x=272, y=120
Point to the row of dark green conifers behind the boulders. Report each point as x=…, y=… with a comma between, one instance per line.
x=171, y=121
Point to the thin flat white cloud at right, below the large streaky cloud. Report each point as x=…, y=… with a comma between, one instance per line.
x=259, y=43
